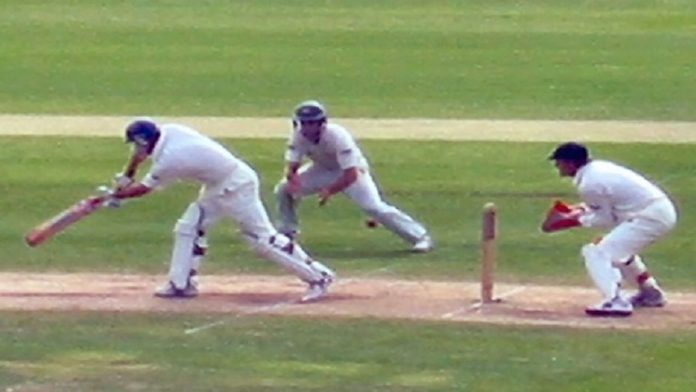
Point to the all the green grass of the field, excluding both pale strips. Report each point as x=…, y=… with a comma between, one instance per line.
x=443, y=59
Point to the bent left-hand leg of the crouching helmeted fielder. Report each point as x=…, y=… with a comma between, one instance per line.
x=312, y=179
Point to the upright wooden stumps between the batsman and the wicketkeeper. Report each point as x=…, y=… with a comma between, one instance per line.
x=489, y=233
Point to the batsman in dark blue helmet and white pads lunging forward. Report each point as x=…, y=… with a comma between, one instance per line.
x=230, y=188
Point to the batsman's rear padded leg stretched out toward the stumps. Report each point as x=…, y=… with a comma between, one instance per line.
x=245, y=207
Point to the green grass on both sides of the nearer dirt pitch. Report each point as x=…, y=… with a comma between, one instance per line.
x=130, y=352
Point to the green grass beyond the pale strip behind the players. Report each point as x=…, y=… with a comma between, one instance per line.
x=623, y=59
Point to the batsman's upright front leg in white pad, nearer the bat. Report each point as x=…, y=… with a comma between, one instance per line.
x=186, y=233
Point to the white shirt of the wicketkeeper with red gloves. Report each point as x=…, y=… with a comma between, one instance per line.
x=613, y=193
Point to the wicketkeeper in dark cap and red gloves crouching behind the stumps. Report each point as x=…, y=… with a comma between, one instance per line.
x=636, y=212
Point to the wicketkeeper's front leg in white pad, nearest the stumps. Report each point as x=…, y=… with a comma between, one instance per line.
x=608, y=280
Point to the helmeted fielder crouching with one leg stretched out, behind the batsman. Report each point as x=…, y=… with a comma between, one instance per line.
x=337, y=166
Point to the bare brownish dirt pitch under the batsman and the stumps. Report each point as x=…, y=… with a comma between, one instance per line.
x=350, y=297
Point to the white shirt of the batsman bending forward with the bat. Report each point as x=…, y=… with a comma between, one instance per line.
x=183, y=153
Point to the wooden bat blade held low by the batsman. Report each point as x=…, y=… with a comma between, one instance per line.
x=64, y=219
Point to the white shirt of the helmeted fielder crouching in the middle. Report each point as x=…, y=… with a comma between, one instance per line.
x=336, y=149
